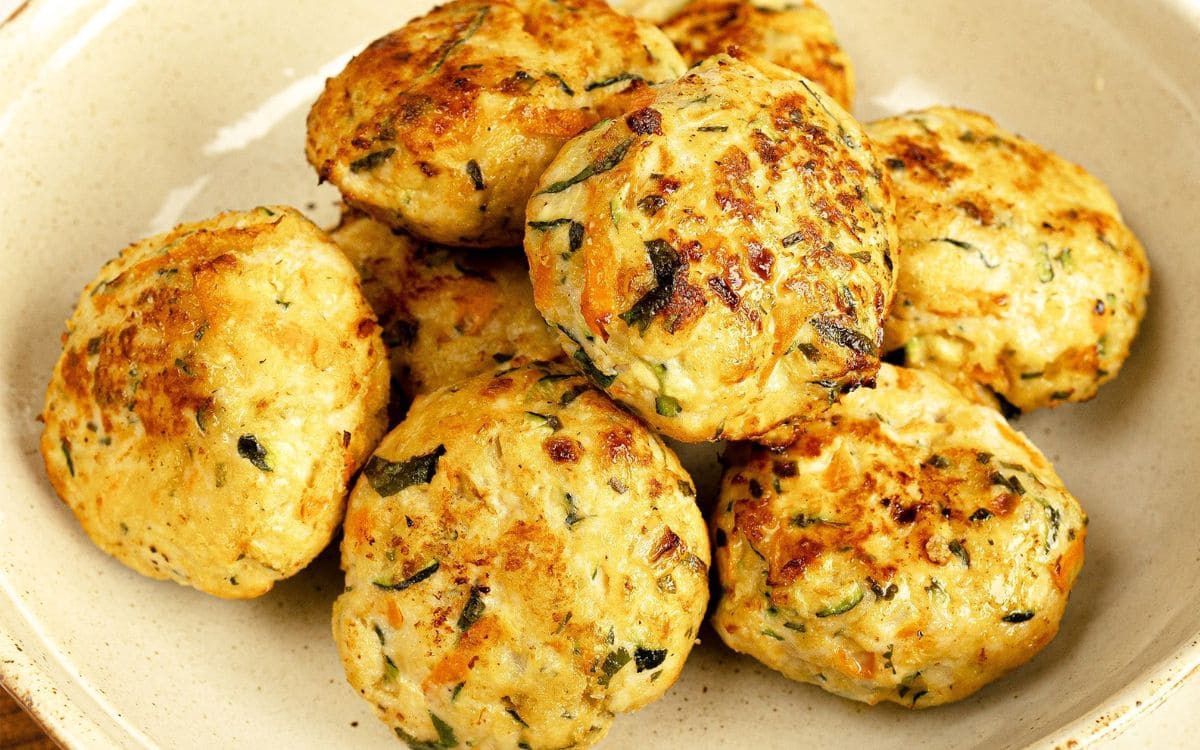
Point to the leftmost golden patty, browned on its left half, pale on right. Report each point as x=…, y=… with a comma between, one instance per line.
x=219, y=387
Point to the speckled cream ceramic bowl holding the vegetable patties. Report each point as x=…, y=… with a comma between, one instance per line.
x=119, y=119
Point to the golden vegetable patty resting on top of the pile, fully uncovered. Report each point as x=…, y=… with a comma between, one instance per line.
x=719, y=260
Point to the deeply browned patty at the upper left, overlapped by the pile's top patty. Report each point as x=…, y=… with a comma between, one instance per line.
x=443, y=127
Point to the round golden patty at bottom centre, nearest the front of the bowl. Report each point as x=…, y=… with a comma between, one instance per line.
x=524, y=560
